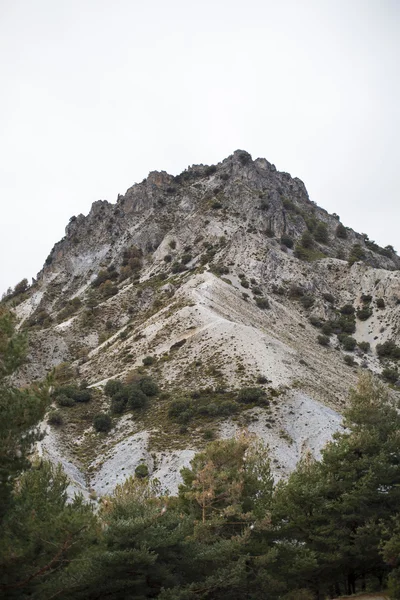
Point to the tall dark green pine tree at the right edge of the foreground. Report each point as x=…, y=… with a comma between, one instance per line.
x=337, y=507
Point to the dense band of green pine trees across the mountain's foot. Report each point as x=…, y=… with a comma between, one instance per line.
x=332, y=528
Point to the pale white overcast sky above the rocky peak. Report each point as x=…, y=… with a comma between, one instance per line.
x=97, y=93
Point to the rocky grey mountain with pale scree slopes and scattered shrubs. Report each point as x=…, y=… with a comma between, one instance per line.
x=248, y=304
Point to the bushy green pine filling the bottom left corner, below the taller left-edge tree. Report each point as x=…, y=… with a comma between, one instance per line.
x=41, y=534
